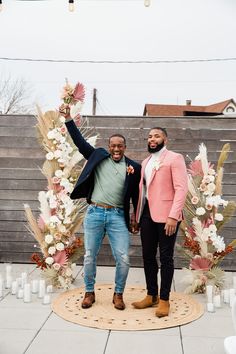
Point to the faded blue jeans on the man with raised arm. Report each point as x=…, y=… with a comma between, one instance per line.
x=98, y=222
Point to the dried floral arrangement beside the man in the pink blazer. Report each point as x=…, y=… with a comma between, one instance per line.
x=205, y=214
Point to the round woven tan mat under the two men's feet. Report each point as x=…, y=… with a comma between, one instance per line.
x=103, y=315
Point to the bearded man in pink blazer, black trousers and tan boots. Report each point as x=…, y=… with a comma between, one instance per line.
x=163, y=189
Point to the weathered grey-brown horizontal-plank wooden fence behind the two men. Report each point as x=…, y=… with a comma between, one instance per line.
x=21, y=158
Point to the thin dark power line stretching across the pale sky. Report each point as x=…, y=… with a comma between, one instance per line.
x=120, y=61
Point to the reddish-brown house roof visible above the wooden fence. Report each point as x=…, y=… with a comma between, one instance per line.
x=183, y=110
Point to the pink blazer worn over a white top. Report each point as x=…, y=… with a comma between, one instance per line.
x=167, y=189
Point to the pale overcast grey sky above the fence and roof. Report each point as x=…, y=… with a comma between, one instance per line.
x=123, y=30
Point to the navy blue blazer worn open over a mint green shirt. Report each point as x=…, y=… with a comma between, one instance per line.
x=85, y=184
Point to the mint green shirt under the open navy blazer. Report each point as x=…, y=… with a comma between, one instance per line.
x=109, y=182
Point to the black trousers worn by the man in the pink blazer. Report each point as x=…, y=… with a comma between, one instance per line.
x=152, y=236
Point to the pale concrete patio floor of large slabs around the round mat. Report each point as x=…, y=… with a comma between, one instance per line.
x=32, y=328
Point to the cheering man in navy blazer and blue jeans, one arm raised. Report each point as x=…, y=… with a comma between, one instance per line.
x=109, y=182
